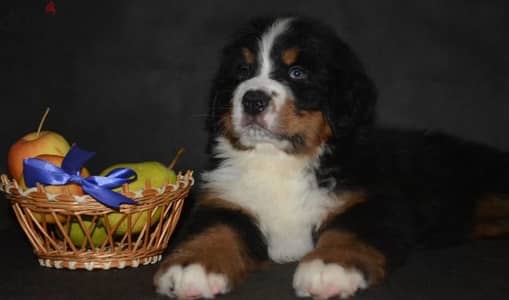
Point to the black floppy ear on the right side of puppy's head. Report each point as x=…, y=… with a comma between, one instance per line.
x=351, y=104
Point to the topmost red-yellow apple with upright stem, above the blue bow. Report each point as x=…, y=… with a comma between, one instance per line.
x=33, y=144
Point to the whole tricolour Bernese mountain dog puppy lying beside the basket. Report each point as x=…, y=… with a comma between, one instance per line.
x=301, y=173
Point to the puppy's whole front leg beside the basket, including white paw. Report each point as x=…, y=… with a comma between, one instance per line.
x=222, y=245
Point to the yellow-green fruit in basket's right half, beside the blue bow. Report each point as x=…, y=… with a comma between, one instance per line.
x=159, y=175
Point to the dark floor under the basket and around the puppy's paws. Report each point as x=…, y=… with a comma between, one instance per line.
x=476, y=271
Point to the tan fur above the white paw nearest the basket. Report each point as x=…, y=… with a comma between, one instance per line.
x=218, y=250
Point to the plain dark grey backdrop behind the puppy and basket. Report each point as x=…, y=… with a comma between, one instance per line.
x=129, y=80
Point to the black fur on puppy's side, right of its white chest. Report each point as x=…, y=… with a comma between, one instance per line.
x=422, y=188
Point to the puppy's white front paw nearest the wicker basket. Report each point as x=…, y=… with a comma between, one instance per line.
x=190, y=282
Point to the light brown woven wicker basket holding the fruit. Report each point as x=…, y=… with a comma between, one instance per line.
x=77, y=232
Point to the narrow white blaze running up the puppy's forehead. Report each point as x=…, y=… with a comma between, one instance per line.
x=267, y=43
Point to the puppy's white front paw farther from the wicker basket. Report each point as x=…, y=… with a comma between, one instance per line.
x=322, y=281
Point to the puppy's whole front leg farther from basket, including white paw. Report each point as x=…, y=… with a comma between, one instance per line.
x=353, y=251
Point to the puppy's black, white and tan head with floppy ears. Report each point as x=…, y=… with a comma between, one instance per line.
x=289, y=82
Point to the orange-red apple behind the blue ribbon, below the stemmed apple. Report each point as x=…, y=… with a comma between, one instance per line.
x=69, y=189
